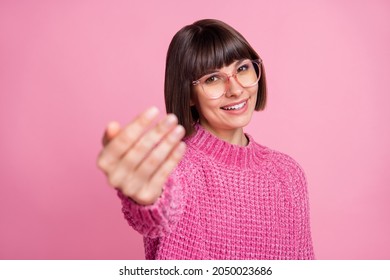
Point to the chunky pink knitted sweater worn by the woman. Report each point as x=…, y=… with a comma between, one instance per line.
x=227, y=202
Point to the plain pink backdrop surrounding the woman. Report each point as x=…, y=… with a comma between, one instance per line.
x=69, y=67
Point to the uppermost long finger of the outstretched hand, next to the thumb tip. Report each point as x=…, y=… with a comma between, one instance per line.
x=127, y=137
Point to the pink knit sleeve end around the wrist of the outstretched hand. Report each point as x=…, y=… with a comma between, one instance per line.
x=158, y=219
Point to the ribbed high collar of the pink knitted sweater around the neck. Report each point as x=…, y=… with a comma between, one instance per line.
x=223, y=152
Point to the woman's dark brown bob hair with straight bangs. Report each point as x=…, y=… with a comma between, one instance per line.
x=194, y=50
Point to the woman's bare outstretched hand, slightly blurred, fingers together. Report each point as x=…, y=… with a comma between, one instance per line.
x=138, y=158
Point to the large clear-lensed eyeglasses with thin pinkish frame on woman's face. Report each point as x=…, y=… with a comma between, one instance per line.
x=216, y=84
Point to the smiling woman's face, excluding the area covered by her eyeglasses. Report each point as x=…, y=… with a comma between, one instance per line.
x=232, y=111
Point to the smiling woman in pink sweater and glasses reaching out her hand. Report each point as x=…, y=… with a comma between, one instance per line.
x=194, y=184
